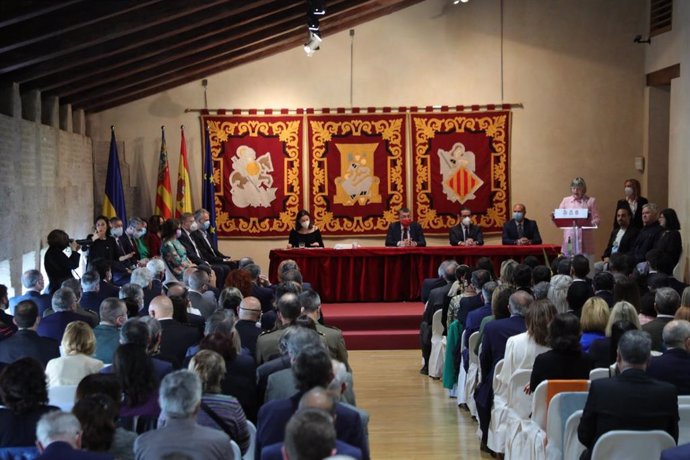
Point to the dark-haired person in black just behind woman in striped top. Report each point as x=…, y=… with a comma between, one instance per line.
x=240, y=375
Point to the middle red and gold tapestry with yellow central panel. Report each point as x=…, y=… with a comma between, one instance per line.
x=357, y=172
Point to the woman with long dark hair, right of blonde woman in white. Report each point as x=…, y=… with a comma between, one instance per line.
x=135, y=373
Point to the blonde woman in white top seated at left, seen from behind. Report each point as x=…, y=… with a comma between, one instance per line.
x=78, y=344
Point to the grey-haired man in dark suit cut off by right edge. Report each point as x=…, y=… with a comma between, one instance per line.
x=674, y=365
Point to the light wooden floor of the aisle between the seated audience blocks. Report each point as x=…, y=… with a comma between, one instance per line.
x=411, y=415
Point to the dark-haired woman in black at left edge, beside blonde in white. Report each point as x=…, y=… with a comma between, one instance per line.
x=24, y=396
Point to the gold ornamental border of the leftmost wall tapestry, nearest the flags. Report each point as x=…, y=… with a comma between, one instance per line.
x=289, y=133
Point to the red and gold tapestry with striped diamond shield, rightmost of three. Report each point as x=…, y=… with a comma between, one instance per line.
x=460, y=159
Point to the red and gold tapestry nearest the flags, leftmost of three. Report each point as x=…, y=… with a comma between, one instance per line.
x=257, y=173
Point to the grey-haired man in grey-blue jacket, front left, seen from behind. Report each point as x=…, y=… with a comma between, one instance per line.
x=180, y=399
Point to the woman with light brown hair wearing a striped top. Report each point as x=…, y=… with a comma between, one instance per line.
x=218, y=410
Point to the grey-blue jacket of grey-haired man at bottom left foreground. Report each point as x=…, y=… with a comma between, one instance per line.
x=183, y=436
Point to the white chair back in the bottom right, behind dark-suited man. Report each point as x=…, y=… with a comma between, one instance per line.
x=631, y=445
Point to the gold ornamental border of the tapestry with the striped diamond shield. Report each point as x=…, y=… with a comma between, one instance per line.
x=496, y=126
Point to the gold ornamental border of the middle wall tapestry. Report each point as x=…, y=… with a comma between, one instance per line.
x=389, y=130
